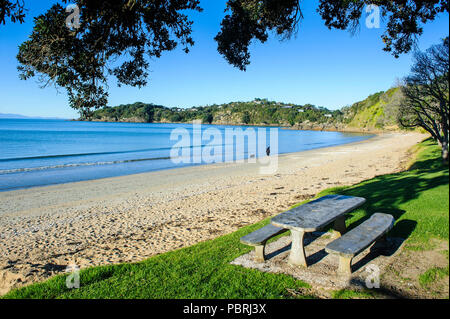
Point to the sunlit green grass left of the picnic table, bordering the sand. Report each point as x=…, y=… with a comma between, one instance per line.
x=200, y=271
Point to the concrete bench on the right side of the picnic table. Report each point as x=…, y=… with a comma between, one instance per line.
x=358, y=239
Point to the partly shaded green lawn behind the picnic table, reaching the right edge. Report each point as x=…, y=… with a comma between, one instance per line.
x=417, y=198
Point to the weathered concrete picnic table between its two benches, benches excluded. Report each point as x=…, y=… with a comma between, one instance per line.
x=314, y=216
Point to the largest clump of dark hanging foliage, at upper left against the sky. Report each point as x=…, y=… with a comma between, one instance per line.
x=114, y=38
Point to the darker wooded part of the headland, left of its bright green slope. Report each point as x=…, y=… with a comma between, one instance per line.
x=254, y=112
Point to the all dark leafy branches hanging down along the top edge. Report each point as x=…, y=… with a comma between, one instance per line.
x=121, y=37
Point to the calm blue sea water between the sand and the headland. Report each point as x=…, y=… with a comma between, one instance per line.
x=45, y=152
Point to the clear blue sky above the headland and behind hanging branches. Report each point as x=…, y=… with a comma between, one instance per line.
x=318, y=66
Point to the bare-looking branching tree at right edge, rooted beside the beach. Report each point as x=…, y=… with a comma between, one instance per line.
x=426, y=93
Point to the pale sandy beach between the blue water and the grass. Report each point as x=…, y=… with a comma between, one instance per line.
x=130, y=218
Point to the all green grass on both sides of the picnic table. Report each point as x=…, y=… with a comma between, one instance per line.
x=417, y=198
